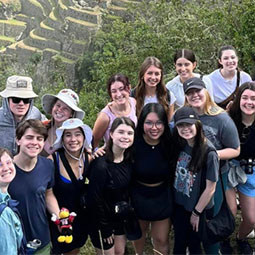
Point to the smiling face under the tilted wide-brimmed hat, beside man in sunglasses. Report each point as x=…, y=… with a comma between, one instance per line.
x=61, y=112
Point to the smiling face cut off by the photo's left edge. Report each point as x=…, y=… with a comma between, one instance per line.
x=7, y=170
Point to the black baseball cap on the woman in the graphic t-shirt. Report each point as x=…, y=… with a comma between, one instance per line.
x=185, y=114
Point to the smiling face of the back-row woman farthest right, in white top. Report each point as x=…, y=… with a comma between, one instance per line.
x=229, y=60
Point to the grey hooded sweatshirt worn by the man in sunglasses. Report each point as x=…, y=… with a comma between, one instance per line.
x=8, y=124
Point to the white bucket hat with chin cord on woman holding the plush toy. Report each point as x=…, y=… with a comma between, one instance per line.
x=71, y=124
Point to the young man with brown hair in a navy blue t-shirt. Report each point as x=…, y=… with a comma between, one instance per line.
x=33, y=183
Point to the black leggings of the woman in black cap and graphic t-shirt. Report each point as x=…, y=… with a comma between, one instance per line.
x=184, y=236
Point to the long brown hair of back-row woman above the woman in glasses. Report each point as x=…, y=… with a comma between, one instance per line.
x=161, y=91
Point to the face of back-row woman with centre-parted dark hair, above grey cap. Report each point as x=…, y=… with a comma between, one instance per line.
x=184, y=68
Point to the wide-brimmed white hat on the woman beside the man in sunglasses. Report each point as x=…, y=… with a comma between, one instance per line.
x=69, y=97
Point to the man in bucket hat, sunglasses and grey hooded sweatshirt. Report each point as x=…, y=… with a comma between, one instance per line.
x=17, y=106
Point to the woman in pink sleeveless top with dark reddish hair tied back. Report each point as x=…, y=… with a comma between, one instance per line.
x=122, y=105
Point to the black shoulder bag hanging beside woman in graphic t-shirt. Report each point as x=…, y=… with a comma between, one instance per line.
x=219, y=227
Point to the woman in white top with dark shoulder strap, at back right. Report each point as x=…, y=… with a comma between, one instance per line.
x=227, y=78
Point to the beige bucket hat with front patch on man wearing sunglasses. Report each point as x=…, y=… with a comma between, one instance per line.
x=18, y=86
